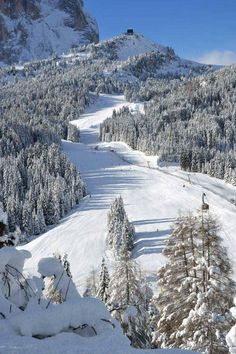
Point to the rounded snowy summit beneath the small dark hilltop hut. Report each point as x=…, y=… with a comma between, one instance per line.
x=136, y=54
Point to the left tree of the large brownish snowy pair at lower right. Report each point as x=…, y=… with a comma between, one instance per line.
x=175, y=281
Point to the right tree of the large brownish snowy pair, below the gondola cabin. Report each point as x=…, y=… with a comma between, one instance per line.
x=208, y=323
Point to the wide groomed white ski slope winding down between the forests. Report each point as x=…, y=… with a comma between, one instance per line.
x=153, y=198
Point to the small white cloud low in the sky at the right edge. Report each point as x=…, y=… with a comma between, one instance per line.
x=225, y=57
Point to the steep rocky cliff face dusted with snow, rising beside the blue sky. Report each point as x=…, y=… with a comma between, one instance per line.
x=35, y=29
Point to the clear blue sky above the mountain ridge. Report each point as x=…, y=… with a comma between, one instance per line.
x=203, y=30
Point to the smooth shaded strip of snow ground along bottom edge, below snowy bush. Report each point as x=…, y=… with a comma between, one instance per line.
x=68, y=343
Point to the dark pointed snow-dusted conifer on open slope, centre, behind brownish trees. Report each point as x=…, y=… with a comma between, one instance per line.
x=120, y=231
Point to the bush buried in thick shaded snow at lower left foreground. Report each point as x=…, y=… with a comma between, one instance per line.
x=27, y=308
